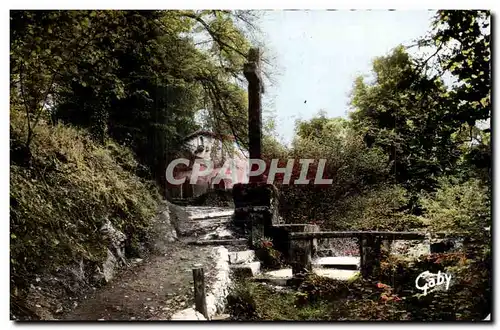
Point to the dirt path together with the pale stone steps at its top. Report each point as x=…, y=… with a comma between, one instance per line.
x=162, y=284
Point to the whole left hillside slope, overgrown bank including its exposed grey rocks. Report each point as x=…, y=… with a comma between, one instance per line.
x=76, y=208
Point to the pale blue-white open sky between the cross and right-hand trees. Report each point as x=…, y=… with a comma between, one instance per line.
x=318, y=54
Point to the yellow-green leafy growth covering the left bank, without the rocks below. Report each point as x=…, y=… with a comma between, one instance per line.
x=59, y=203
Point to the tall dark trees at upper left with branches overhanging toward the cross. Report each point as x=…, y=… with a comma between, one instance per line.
x=137, y=77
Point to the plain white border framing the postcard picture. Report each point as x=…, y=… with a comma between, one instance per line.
x=191, y=4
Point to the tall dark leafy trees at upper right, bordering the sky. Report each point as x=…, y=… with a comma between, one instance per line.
x=418, y=121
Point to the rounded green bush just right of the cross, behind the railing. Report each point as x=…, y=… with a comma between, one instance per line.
x=349, y=163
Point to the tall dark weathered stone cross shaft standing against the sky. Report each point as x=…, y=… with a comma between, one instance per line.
x=252, y=74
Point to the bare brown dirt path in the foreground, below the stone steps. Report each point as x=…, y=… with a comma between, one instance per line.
x=152, y=290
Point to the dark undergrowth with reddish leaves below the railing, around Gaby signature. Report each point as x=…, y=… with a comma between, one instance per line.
x=390, y=296
